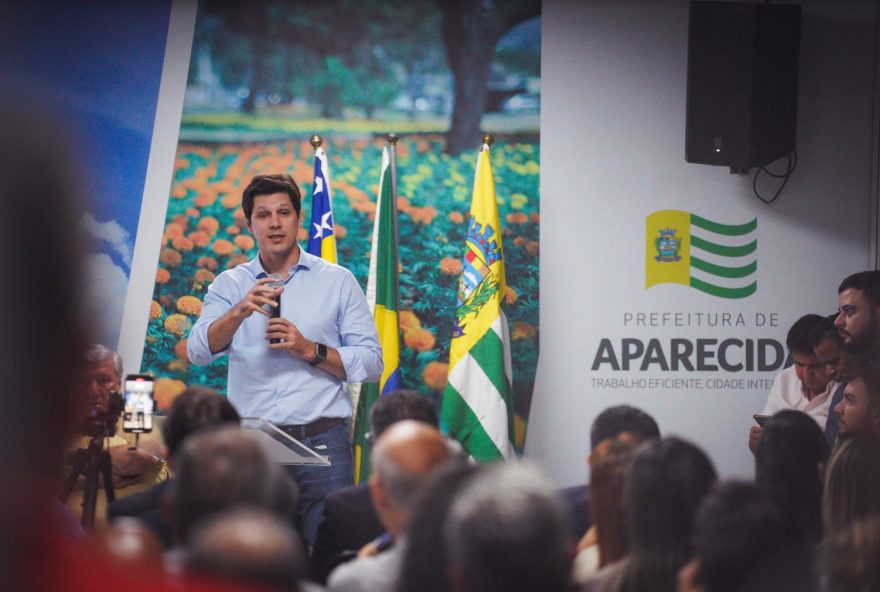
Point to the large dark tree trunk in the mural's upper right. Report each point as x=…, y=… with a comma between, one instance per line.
x=470, y=32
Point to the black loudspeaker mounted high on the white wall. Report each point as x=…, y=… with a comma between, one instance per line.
x=742, y=83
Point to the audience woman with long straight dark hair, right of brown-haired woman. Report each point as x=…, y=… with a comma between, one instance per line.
x=667, y=481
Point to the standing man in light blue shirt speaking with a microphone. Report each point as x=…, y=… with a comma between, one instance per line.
x=291, y=366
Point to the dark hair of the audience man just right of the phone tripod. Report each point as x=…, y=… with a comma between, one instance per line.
x=194, y=409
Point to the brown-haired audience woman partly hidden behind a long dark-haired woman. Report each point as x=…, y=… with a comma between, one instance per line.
x=605, y=542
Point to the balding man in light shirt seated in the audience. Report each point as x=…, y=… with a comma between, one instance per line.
x=403, y=459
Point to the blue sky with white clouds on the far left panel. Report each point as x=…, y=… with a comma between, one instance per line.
x=96, y=66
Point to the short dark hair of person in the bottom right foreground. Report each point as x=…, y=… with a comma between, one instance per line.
x=736, y=529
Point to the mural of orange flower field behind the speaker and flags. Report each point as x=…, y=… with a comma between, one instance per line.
x=222, y=148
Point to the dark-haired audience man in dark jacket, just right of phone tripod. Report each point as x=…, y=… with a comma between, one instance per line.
x=194, y=409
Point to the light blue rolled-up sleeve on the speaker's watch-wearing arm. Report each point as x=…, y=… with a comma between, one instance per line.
x=360, y=350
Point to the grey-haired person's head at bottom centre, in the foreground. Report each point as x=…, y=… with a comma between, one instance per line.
x=508, y=531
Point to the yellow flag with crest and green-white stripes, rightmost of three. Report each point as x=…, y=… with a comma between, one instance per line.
x=477, y=405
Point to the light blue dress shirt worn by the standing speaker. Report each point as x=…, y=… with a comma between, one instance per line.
x=327, y=305
